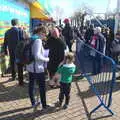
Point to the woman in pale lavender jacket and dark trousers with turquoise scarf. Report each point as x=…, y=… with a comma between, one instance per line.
x=36, y=68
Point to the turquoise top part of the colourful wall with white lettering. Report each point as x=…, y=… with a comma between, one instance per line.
x=14, y=9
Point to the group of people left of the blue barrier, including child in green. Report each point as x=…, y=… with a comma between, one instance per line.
x=46, y=54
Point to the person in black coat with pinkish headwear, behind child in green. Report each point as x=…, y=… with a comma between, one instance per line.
x=56, y=48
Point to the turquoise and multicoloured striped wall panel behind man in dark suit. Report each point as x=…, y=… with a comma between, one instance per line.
x=10, y=9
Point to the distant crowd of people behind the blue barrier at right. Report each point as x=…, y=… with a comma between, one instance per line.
x=108, y=43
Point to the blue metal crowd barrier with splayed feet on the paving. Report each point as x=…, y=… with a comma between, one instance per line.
x=99, y=71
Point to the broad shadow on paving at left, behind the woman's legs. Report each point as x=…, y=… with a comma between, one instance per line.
x=15, y=92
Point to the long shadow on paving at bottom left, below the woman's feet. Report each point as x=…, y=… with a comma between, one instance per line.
x=27, y=116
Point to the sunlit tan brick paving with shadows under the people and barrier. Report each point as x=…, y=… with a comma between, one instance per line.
x=15, y=104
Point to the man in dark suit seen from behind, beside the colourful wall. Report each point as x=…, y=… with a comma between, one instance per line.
x=12, y=36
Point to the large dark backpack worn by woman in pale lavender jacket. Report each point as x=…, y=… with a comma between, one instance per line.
x=23, y=52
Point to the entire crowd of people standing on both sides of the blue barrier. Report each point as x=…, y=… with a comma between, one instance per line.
x=50, y=53
